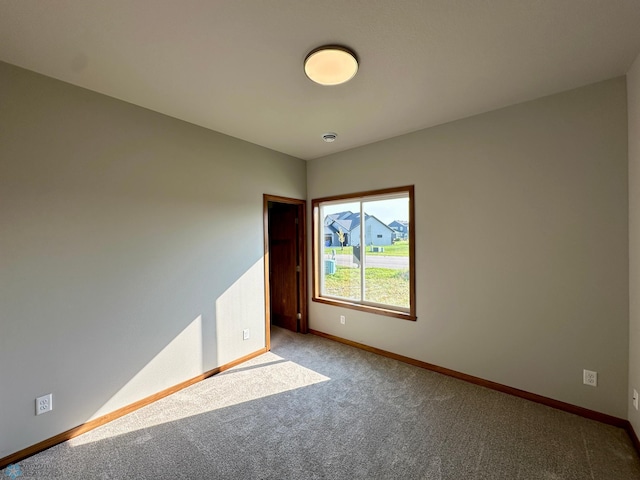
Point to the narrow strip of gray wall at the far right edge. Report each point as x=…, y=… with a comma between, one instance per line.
x=633, y=95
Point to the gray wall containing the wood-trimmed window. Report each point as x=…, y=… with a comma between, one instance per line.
x=521, y=244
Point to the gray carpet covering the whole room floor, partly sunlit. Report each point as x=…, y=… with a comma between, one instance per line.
x=316, y=409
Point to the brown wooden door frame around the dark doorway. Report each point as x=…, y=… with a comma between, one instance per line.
x=303, y=323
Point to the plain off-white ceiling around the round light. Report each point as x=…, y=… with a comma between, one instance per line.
x=236, y=66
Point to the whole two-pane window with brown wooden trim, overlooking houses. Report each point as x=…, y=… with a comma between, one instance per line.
x=360, y=261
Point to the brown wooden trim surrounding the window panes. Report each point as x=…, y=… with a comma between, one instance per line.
x=316, y=249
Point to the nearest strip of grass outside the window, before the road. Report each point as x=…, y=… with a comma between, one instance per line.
x=383, y=285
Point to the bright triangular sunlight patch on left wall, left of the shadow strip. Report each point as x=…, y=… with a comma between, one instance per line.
x=179, y=360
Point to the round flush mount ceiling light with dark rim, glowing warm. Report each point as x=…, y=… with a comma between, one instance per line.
x=331, y=65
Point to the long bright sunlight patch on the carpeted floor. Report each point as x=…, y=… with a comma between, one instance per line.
x=261, y=377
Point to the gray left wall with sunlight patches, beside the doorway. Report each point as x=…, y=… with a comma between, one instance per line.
x=131, y=251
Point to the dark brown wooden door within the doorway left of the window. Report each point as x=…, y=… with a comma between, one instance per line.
x=283, y=263
